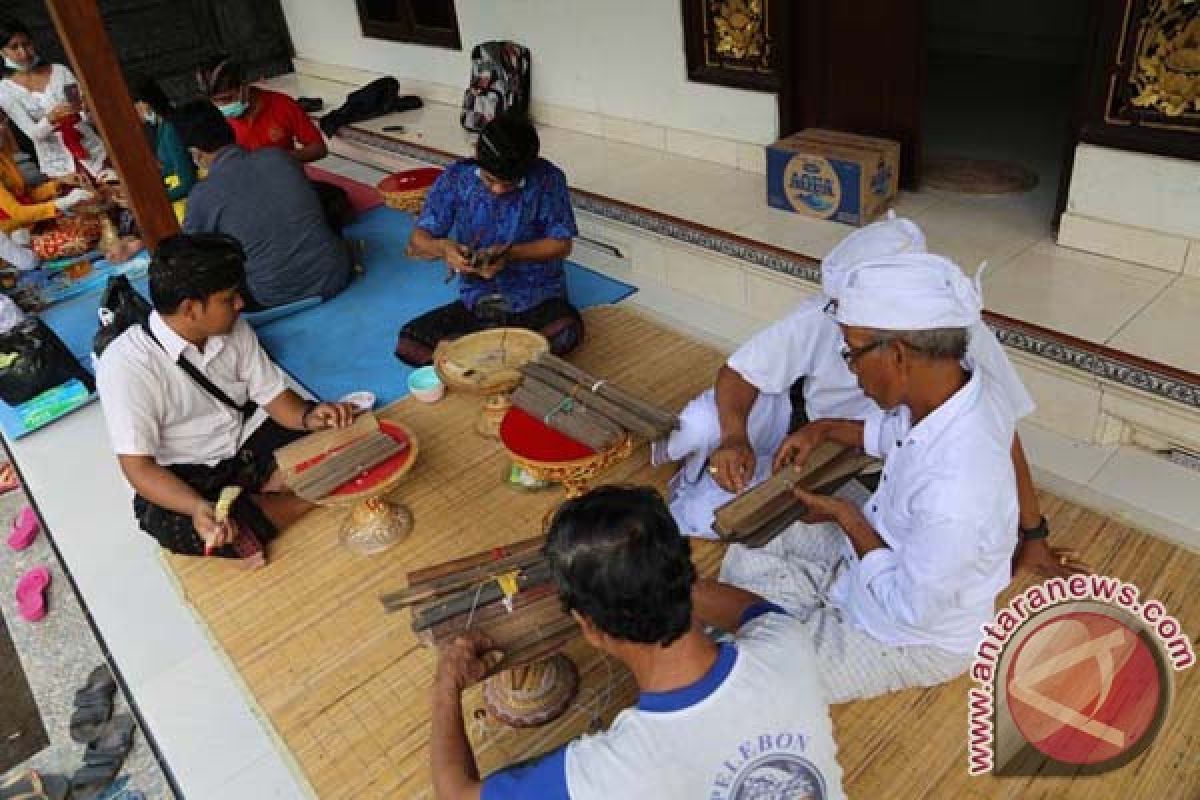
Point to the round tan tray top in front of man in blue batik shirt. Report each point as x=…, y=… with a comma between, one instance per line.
x=488, y=363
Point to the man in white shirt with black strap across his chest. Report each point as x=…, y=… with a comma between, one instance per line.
x=195, y=405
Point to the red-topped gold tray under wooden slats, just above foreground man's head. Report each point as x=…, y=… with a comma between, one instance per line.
x=551, y=456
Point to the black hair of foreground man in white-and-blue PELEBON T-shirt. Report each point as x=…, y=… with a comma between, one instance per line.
x=619, y=560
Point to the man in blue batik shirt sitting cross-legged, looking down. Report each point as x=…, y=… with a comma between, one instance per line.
x=514, y=209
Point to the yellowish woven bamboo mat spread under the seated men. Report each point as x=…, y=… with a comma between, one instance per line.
x=346, y=688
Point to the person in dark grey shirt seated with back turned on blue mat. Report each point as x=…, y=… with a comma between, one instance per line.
x=265, y=201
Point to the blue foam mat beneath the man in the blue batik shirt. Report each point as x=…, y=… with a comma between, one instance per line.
x=347, y=344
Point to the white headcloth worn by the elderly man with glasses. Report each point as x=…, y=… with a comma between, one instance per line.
x=910, y=292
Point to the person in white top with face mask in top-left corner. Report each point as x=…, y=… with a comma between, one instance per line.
x=44, y=101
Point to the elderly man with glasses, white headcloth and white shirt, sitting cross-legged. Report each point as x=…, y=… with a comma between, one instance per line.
x=895, y=593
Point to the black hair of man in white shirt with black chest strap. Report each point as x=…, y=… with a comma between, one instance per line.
x=195, y=267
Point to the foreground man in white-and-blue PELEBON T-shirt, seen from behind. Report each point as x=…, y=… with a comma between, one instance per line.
x=727, y=721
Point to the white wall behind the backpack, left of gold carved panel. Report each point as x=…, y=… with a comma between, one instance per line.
x=617, y=58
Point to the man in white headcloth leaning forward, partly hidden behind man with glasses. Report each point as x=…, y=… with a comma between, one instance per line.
x=736, y=429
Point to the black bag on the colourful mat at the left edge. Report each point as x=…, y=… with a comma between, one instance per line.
x=43, y=362
